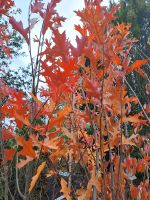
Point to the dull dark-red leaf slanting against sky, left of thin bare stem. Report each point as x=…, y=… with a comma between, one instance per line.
x=18, y=26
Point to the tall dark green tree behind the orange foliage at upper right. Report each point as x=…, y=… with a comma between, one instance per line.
x=137, y=14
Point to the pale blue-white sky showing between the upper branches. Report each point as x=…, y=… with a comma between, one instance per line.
x=65, y=8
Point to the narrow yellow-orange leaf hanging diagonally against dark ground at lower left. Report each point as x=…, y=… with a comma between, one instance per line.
x=35, y=177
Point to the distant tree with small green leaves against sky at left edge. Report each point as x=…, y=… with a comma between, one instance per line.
x=10, y=49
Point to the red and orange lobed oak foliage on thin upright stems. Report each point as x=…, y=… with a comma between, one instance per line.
x=79, y=111
